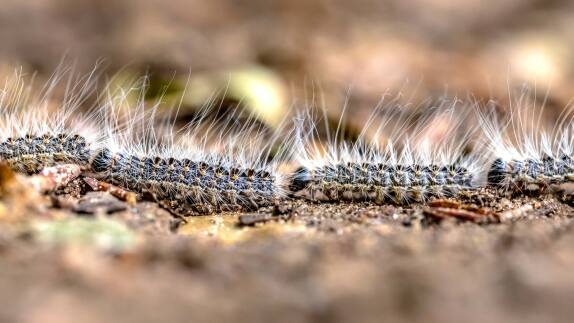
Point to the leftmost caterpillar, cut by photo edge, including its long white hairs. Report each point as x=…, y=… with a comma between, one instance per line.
x=48, y=125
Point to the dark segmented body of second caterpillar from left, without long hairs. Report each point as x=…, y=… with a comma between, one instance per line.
x=186, y=185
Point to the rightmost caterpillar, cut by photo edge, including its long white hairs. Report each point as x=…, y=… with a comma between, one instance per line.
x=527, y=154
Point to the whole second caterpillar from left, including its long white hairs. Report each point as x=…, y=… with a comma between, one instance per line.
x=220, y=161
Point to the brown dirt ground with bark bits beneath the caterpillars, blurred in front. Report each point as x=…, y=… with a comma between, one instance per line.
x=480, y=258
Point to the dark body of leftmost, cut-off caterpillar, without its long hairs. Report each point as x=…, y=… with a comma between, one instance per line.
x=30, y=154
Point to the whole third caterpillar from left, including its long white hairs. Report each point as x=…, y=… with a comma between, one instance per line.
x=415, y=164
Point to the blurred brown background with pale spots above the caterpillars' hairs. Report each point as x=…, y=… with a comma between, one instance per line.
x=273, y=54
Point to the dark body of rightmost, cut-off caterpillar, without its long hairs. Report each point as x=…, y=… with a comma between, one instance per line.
x=531, y=174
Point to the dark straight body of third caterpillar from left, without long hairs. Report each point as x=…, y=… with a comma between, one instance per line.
x=381, y=183
